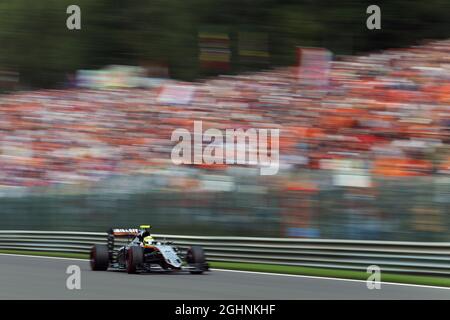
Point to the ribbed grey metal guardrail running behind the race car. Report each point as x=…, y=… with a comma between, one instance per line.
x=405, y=257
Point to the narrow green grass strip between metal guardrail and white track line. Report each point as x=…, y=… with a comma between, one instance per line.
x=271, y=268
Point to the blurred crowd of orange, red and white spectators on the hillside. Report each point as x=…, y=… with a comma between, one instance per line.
x=384, y=114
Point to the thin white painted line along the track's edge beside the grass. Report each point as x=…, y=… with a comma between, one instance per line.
x=256, y=272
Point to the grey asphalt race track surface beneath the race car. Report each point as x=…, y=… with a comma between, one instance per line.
x=25, y=277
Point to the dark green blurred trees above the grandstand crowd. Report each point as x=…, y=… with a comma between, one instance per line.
x=34, y=39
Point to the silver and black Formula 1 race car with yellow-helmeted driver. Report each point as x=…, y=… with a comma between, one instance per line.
x=143, y=253
